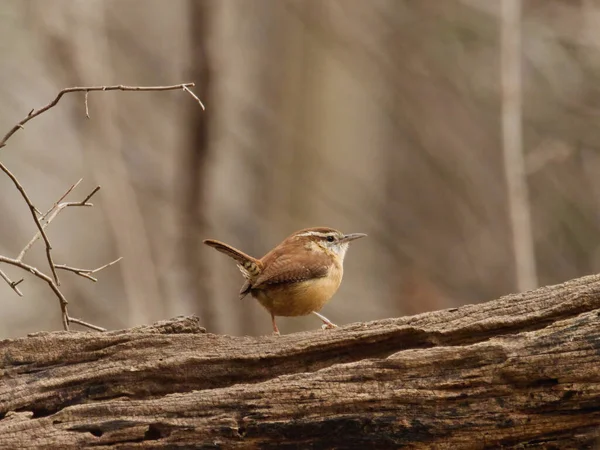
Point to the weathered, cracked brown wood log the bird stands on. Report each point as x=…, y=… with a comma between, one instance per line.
x=521, y=371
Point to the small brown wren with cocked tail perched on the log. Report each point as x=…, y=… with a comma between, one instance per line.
x=299, y=276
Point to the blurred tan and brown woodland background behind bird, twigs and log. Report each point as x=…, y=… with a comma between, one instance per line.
x=461, y=135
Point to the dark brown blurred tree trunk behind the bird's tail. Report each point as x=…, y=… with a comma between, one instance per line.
x=190, y=268
